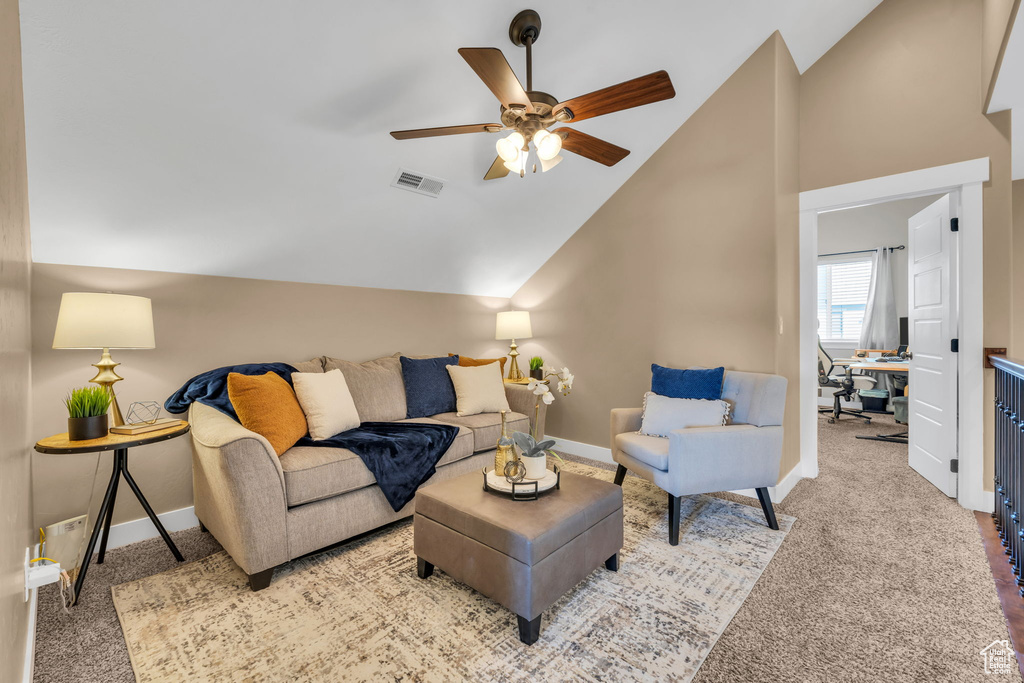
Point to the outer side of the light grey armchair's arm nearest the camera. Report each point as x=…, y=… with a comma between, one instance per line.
x=704, y=460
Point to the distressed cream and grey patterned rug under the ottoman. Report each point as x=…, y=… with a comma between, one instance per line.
x=360, y=612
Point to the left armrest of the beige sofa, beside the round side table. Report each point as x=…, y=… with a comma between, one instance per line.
x=239, y=490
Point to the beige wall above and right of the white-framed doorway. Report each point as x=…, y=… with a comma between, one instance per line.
x=905, y=92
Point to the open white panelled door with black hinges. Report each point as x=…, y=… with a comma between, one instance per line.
x=933, y=324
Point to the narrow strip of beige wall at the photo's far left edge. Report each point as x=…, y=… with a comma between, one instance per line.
x=16, y=485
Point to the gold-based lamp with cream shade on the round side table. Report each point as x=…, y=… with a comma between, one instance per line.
x=93, y=320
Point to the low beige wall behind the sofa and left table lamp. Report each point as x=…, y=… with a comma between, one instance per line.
x=204, y=323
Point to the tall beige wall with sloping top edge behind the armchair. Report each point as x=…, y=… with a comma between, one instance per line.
x=692, y=263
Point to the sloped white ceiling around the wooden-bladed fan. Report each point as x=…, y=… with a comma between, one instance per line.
x=195, y=138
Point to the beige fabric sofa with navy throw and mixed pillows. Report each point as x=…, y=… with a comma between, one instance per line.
x=267, y=510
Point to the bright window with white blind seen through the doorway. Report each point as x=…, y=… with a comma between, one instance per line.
x=843, y=298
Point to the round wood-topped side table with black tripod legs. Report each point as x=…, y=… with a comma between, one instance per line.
x=119, y=444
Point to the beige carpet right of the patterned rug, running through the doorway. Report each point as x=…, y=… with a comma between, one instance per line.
x=883, y=579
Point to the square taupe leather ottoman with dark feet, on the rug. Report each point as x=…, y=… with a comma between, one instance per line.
x=524, y=554
